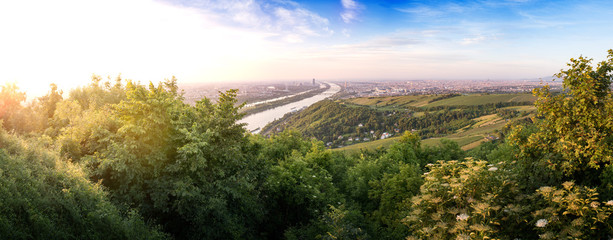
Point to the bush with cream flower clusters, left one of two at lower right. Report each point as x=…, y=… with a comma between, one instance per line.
x=465, y=200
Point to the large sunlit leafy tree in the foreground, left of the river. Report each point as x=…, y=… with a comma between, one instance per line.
x=189, y=168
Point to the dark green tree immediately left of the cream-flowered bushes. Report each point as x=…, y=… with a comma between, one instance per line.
x=379, y=186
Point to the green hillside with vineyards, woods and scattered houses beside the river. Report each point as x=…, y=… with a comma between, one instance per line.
x=466, y=119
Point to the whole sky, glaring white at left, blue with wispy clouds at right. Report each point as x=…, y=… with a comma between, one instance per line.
x=66, y=41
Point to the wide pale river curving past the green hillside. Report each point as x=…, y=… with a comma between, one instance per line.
x=259, y=120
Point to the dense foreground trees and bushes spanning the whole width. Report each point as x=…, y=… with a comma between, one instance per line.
x=129, y=161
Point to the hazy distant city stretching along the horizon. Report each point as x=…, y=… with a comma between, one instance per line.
x=253, y=92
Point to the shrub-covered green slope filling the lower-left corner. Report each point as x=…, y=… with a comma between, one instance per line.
x=43, y=197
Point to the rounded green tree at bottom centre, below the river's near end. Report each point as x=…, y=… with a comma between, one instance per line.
x=299, y=186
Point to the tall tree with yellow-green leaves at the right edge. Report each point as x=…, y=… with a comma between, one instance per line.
x=575, y=128
